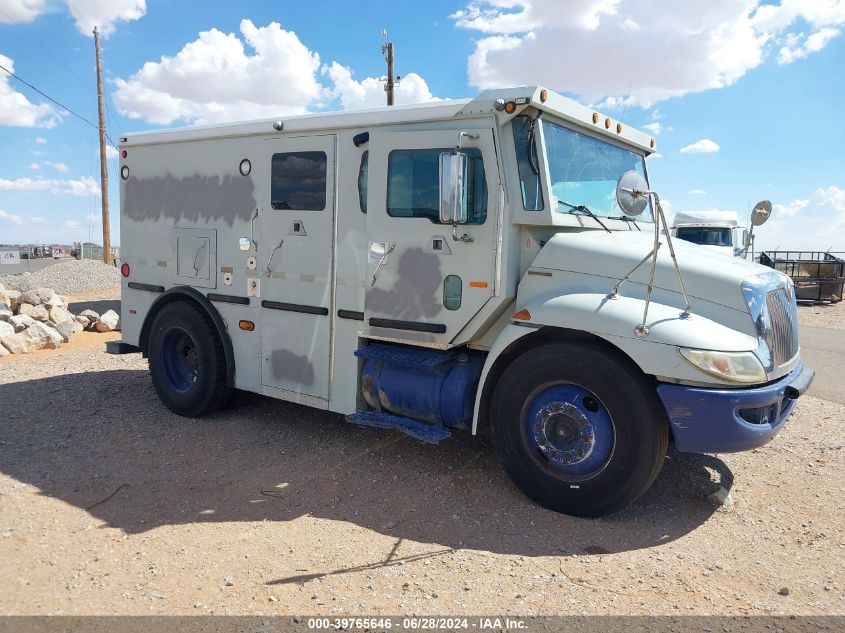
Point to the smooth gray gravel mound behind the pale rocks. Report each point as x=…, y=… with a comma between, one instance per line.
x=73, y=276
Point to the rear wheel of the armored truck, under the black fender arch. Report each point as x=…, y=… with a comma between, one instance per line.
x=201, y=388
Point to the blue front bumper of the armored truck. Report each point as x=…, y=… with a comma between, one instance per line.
x=731, y=420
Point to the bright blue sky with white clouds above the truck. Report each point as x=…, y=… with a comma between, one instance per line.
x=743, y=96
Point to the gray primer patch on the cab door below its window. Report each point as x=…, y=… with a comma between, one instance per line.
x=416, y=294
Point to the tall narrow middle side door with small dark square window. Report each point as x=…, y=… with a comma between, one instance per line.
x=296, y=260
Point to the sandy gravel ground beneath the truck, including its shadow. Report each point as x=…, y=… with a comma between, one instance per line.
x=111, y=504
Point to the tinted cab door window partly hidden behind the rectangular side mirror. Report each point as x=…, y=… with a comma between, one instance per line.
x=413, y=184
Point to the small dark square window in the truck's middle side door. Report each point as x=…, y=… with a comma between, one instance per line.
x=298, y=181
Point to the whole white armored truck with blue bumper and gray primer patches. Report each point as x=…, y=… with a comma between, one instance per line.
x=488, y=265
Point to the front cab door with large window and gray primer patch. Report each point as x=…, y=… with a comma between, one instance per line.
x=426, y=280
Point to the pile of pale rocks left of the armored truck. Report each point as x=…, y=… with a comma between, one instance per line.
x=39, y=318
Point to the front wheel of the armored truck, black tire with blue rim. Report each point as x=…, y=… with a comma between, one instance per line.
x=640, y=432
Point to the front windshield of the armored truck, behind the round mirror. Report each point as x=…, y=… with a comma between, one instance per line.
x=584, y=170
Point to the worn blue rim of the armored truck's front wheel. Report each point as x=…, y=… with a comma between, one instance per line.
x=569, y=430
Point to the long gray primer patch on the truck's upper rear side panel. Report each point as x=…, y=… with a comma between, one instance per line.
x=194, y=198
